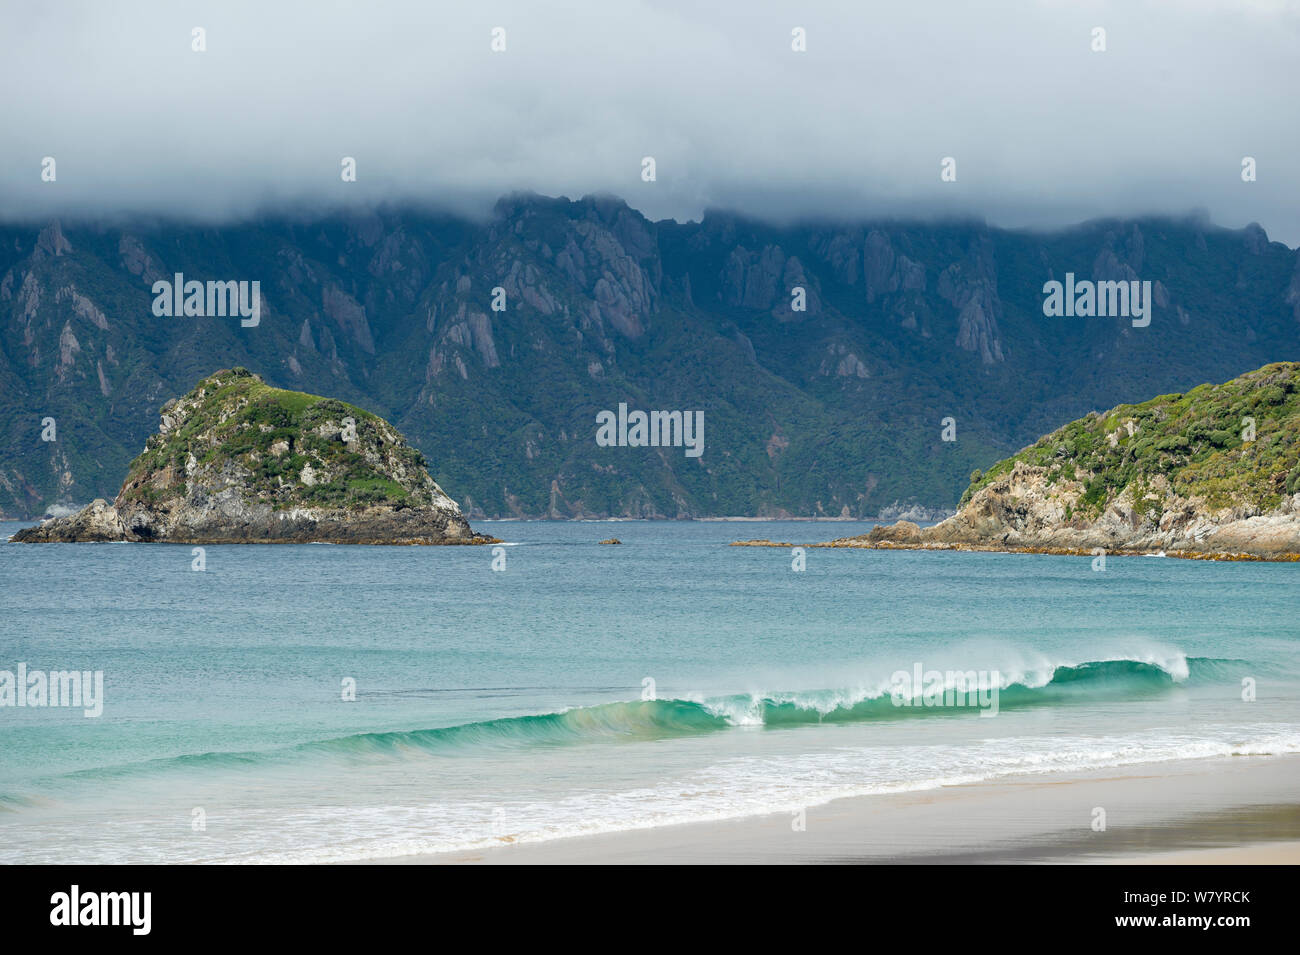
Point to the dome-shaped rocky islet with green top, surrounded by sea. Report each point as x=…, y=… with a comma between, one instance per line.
x=240, y=462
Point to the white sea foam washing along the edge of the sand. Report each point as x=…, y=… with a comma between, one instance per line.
x=742, y=788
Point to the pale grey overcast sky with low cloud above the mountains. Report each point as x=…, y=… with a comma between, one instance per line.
x=1045, y=131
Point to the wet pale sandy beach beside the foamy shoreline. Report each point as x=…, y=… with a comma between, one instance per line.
x=1215, y=811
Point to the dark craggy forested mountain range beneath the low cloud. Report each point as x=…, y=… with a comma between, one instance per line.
x=838, y=410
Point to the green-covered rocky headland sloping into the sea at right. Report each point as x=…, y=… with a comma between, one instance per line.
x=1212, y=474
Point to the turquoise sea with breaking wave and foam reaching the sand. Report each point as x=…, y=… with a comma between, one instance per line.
x=514, y=706
